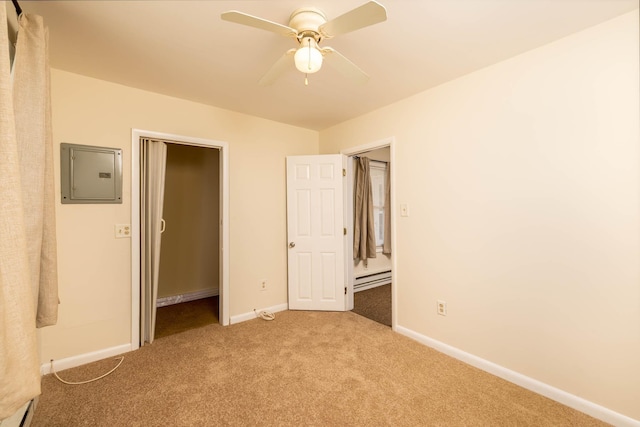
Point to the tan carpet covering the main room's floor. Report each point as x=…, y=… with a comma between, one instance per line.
x=303, y=368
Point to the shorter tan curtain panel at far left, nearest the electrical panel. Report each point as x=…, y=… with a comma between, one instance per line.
x=32, y=106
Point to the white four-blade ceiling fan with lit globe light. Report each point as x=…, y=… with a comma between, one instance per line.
x=309, y=26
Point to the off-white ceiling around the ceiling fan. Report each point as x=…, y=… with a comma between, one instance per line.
x=183, y=48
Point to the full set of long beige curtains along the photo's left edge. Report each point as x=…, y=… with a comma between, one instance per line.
x=28, y=274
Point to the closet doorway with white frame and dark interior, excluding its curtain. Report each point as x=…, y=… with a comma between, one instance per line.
x=192, y=273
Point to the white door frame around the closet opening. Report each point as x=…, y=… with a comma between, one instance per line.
x=136, y=134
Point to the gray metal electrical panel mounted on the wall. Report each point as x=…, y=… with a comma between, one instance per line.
x=90, y=174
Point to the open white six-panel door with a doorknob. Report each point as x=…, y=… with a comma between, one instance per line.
x=315, y=230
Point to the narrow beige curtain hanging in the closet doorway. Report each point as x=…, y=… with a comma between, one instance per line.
x=153, y=157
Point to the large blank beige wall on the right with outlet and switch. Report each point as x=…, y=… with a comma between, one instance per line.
x=522, y=181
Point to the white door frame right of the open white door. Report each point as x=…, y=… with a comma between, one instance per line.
x=352, y=151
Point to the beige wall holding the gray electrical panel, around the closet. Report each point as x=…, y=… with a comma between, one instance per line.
x=95, y=268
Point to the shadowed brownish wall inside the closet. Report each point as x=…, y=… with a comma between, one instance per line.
x=190, y=244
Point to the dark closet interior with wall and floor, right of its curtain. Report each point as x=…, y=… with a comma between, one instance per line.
x=188, y=280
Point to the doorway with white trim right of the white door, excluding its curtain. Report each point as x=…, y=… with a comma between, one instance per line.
x=371, y=281
